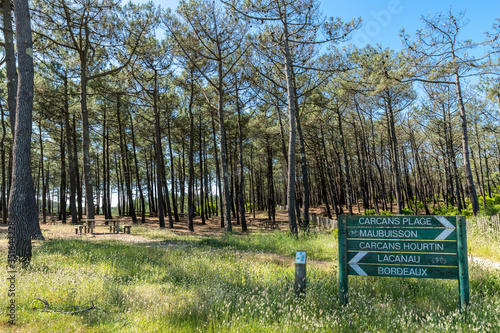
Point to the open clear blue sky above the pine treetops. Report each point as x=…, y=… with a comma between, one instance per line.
x=383, y=19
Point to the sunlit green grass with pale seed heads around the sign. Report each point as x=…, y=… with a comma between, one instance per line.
x=232, y=283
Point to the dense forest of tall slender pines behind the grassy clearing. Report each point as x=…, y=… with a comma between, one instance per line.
x=221, y=108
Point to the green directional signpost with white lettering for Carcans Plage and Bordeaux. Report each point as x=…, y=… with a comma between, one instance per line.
x=432, y=247
